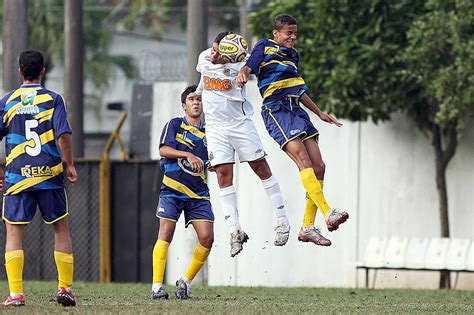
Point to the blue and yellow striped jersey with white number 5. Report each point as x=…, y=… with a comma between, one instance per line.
x=32, y=118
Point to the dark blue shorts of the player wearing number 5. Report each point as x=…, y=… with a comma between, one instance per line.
x=21, y=208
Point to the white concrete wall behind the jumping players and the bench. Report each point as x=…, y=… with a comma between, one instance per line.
x=382, y=175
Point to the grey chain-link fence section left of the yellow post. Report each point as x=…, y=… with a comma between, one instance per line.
x=83, y=200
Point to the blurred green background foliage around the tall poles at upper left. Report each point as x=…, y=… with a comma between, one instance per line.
x=46, y=24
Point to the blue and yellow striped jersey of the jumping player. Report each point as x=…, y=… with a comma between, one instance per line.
x=276, y=68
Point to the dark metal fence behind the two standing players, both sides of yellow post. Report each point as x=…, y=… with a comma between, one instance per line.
x=133, y=227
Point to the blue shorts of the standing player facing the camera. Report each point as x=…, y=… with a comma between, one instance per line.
x=170, y=208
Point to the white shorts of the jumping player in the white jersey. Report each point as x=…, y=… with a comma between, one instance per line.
x=224, y=141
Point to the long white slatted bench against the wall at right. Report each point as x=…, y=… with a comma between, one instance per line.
x=403, y=253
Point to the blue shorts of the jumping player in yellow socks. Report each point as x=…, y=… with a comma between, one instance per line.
x=286, y=121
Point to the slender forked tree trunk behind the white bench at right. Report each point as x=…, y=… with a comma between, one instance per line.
x=443, y=156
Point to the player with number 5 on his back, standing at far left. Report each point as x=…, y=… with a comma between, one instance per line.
x=34, y=122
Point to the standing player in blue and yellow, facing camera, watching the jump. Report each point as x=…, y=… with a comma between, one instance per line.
x=183, y=150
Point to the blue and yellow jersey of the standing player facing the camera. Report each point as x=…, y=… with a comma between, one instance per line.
x=179, y=180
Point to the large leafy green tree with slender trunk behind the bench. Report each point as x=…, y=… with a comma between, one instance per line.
x=370, y=58
